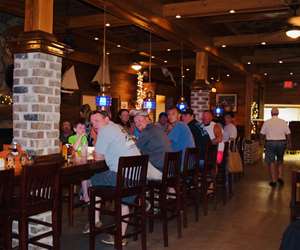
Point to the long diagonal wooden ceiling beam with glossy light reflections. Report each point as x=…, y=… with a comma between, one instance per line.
x=144, y=17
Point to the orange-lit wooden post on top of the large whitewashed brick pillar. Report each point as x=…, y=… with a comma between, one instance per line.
x=38, y=16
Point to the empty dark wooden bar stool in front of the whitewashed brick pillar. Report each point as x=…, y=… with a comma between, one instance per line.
x=39, y=193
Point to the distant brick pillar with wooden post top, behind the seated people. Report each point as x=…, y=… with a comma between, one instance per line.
x=200, y=93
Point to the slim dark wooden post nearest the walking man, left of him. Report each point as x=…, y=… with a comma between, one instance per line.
x=248, y=103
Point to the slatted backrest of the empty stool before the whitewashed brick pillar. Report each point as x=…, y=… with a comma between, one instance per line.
x=40, y=186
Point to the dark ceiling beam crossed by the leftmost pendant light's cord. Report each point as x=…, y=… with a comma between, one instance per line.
x=94, y=21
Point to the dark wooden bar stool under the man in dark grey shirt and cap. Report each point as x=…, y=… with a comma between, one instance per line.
x=168, y=205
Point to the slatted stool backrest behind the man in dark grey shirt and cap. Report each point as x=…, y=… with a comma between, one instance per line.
x=171, y=171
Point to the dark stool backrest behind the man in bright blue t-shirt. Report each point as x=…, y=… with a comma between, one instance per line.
x=191, y=161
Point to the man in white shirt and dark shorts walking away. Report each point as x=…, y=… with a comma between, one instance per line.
x=276, y=133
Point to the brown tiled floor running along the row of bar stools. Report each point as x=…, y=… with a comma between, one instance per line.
x=254, y=219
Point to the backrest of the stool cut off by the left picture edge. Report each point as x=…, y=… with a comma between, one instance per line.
x=6, y=187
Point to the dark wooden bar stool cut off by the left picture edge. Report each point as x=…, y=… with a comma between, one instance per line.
x=6, y=187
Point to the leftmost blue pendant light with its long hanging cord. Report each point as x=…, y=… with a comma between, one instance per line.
x=103, y=100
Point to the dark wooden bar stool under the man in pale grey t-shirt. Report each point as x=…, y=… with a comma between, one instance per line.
x=131, y=181
